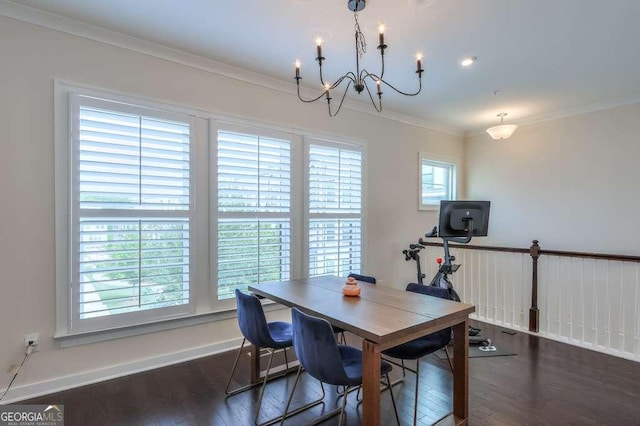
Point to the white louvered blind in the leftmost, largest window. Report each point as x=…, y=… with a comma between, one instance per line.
x=131, y=213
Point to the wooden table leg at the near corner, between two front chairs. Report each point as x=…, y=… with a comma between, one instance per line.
x=370, y=384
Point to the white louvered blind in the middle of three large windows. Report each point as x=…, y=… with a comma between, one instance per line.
x=254, y=210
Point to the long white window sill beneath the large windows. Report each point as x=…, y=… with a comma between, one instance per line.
x=68, y=340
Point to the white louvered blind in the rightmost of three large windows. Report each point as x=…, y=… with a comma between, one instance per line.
x=335, y=210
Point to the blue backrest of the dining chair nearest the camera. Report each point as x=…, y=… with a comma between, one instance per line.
x=316, y=348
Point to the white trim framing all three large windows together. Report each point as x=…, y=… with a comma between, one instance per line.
x=203, y=175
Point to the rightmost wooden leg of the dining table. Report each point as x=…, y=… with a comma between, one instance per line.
x=461, y=372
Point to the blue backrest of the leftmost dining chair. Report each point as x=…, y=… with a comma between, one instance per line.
x=252, y=321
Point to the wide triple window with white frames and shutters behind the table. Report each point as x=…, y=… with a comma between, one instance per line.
x=163, y=212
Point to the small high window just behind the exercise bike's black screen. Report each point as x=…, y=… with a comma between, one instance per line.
x=437, y=182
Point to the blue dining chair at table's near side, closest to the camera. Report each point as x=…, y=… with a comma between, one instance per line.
x=325, y=360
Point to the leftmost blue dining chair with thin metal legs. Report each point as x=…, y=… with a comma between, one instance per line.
x=271, y=336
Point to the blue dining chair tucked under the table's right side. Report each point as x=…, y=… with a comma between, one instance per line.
x=422, y=346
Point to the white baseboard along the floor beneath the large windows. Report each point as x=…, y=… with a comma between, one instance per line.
x=32, y=390
